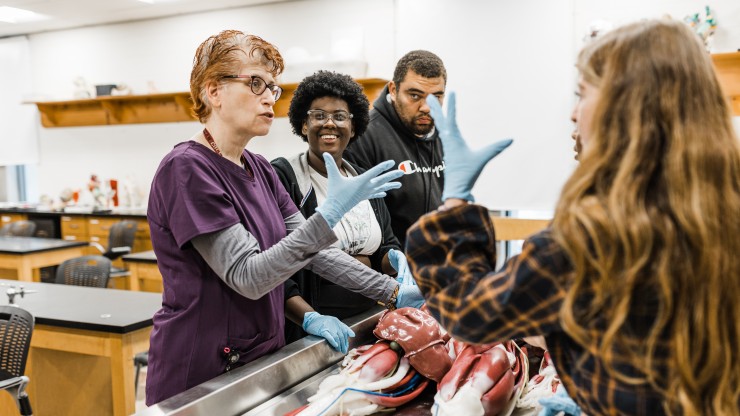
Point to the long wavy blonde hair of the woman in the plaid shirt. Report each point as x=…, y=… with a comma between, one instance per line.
x=652, y=213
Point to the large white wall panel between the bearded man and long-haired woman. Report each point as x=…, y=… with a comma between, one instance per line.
x=511, y=65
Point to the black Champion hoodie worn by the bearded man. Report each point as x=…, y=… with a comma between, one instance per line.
x=387, y=138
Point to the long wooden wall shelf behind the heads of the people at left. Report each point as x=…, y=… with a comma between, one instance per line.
x=152, y=108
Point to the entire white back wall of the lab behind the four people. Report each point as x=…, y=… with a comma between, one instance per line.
x=511, y=64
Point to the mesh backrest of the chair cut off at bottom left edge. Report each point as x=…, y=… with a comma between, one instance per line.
x=16, y=327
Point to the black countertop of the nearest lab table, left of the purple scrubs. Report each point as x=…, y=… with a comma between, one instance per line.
x=94, y=309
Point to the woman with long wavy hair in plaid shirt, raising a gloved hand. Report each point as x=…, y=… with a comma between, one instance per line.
x=636, y=284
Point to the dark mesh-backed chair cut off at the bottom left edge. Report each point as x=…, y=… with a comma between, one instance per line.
x=16, y=327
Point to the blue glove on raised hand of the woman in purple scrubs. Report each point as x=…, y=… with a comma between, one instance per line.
x=344, y=193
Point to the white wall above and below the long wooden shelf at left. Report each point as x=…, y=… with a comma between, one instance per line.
x=161, y=51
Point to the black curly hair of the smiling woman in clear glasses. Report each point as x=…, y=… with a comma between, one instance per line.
x=329, y=84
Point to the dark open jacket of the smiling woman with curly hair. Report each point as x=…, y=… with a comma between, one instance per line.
x=324, y=296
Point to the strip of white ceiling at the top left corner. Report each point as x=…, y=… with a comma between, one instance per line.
x=66, y=14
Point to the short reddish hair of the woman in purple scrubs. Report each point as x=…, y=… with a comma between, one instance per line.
x=223, y=54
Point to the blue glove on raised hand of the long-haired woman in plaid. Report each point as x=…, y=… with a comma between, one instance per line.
x=462, y=165
